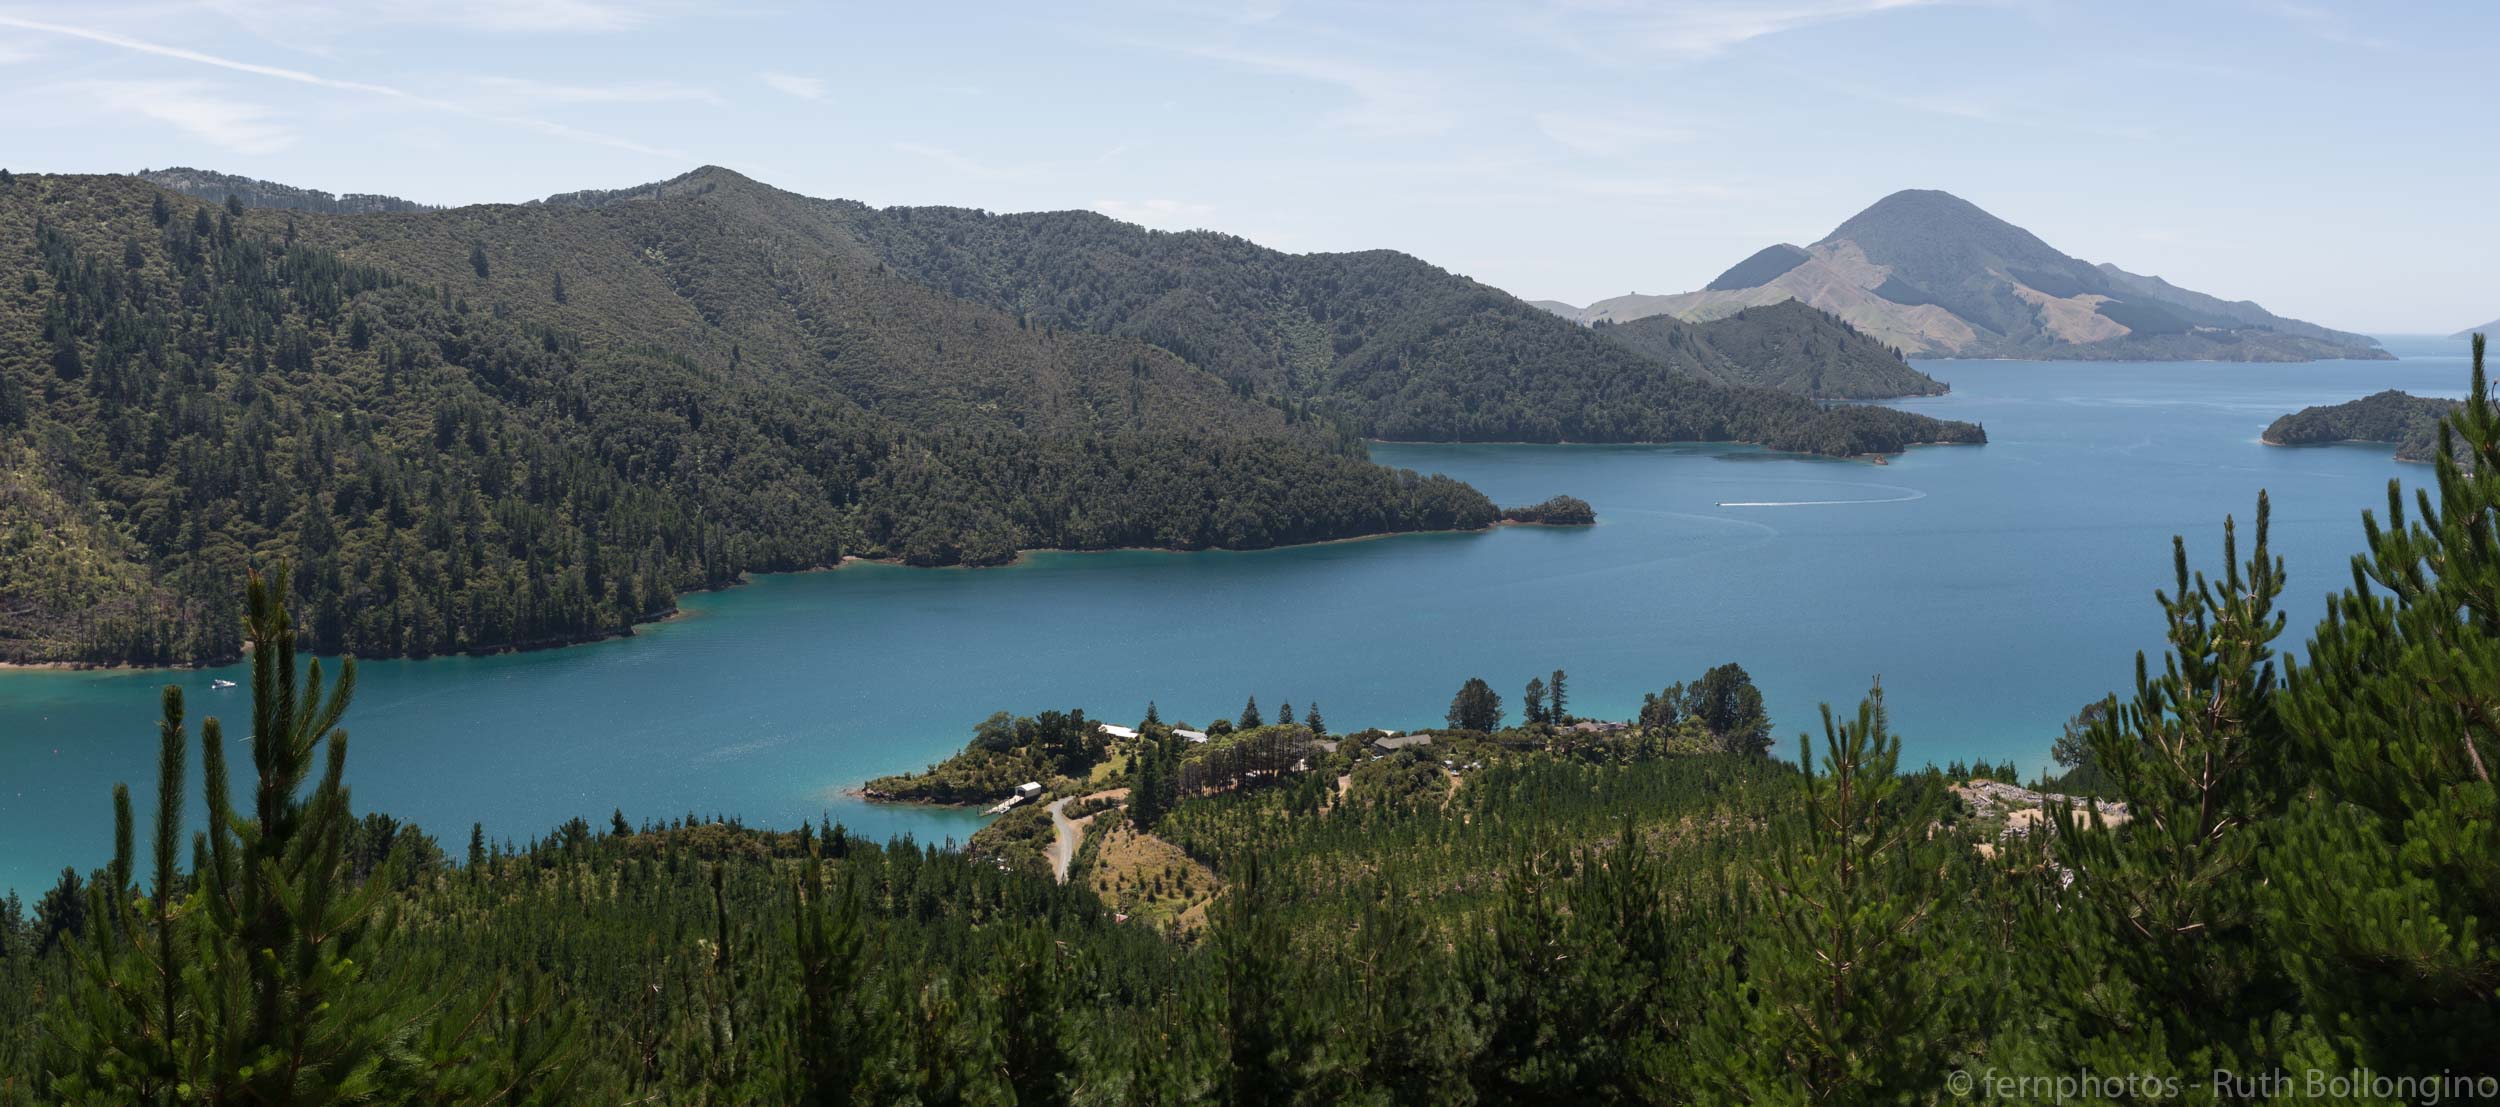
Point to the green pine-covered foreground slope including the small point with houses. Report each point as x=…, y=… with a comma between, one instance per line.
x=2294, y=906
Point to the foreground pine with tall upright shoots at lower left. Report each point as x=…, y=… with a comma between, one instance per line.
x=284, y=988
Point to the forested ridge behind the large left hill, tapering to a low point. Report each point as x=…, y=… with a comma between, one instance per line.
x=1404, y=349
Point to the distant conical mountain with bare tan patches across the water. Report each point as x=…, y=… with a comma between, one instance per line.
x=1936, y=276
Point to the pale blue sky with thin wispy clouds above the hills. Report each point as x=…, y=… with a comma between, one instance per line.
x=2331, y=161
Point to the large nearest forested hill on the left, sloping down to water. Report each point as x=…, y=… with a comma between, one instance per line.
x=516, y=426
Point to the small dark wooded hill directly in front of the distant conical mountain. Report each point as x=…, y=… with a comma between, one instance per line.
x=1786, y=346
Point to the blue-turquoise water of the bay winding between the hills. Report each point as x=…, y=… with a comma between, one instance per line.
x=1994, y=588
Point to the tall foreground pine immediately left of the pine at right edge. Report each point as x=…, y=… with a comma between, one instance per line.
x=2154, y=953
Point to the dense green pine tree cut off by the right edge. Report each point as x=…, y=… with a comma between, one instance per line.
x=2384, y=883
